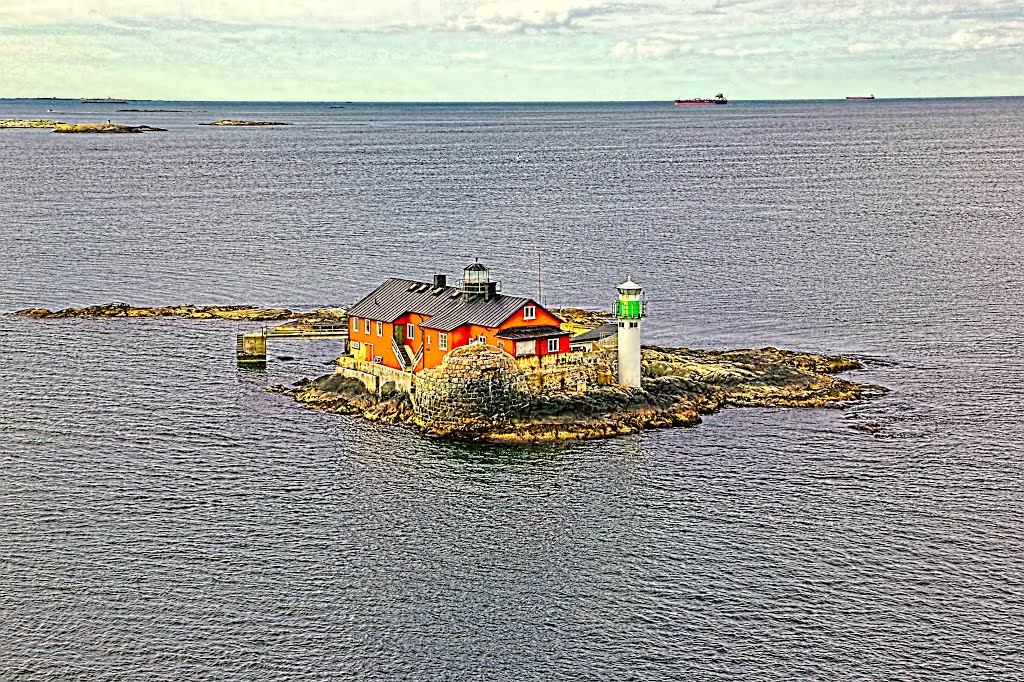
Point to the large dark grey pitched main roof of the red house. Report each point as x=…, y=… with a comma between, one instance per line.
x=445, y=306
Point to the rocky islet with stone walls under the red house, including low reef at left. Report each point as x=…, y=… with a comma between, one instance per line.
x=480, y=393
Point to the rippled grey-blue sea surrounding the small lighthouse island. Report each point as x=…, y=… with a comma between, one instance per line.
x=163, y=517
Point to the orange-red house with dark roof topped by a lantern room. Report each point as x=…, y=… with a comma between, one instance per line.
x=411, y=326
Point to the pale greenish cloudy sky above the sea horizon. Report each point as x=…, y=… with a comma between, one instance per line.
x=510, y=51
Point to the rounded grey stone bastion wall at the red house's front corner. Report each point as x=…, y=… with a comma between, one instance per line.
x=475, y=383
